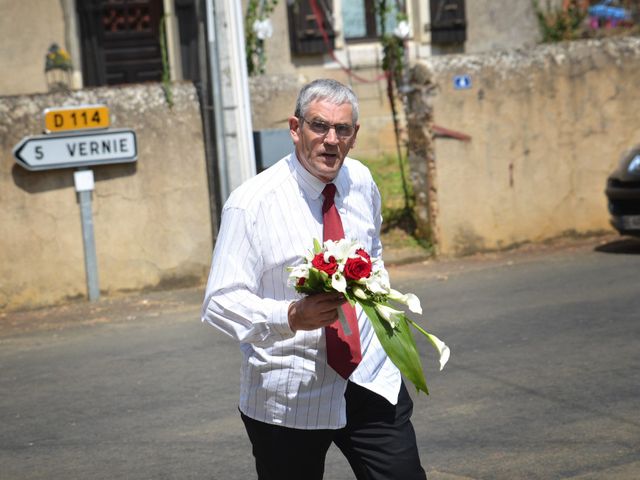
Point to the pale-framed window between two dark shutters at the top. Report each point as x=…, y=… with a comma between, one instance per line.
x=361, y=22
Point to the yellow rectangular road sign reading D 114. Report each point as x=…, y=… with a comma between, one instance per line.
x=62, y=119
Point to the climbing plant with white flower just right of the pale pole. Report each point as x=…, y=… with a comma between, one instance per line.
x=257, y=29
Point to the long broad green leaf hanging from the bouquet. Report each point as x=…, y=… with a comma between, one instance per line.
x=399, y=344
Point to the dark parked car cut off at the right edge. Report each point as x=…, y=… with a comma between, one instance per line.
x=623, y=192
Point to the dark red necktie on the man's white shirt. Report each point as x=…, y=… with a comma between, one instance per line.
x=343, y=351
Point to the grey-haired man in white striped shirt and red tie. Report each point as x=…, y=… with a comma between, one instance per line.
x=306, y=383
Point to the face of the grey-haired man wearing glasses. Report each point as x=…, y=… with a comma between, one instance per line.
x=322, y=155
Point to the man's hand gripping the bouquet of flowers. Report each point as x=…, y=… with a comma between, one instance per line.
x=315, y=311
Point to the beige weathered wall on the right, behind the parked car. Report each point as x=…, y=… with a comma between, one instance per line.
x=547, y=126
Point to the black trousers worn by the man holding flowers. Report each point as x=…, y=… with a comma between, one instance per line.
x=378, y=441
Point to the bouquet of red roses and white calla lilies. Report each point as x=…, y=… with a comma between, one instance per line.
x=346, y=267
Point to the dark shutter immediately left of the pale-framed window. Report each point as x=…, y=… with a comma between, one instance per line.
x=305, y=37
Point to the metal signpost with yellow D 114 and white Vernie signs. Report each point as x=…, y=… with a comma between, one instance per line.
x=85, y=141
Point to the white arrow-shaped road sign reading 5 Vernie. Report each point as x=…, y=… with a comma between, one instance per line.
x=80, y=149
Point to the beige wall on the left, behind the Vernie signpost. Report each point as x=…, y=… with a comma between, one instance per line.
x=151, y=218
